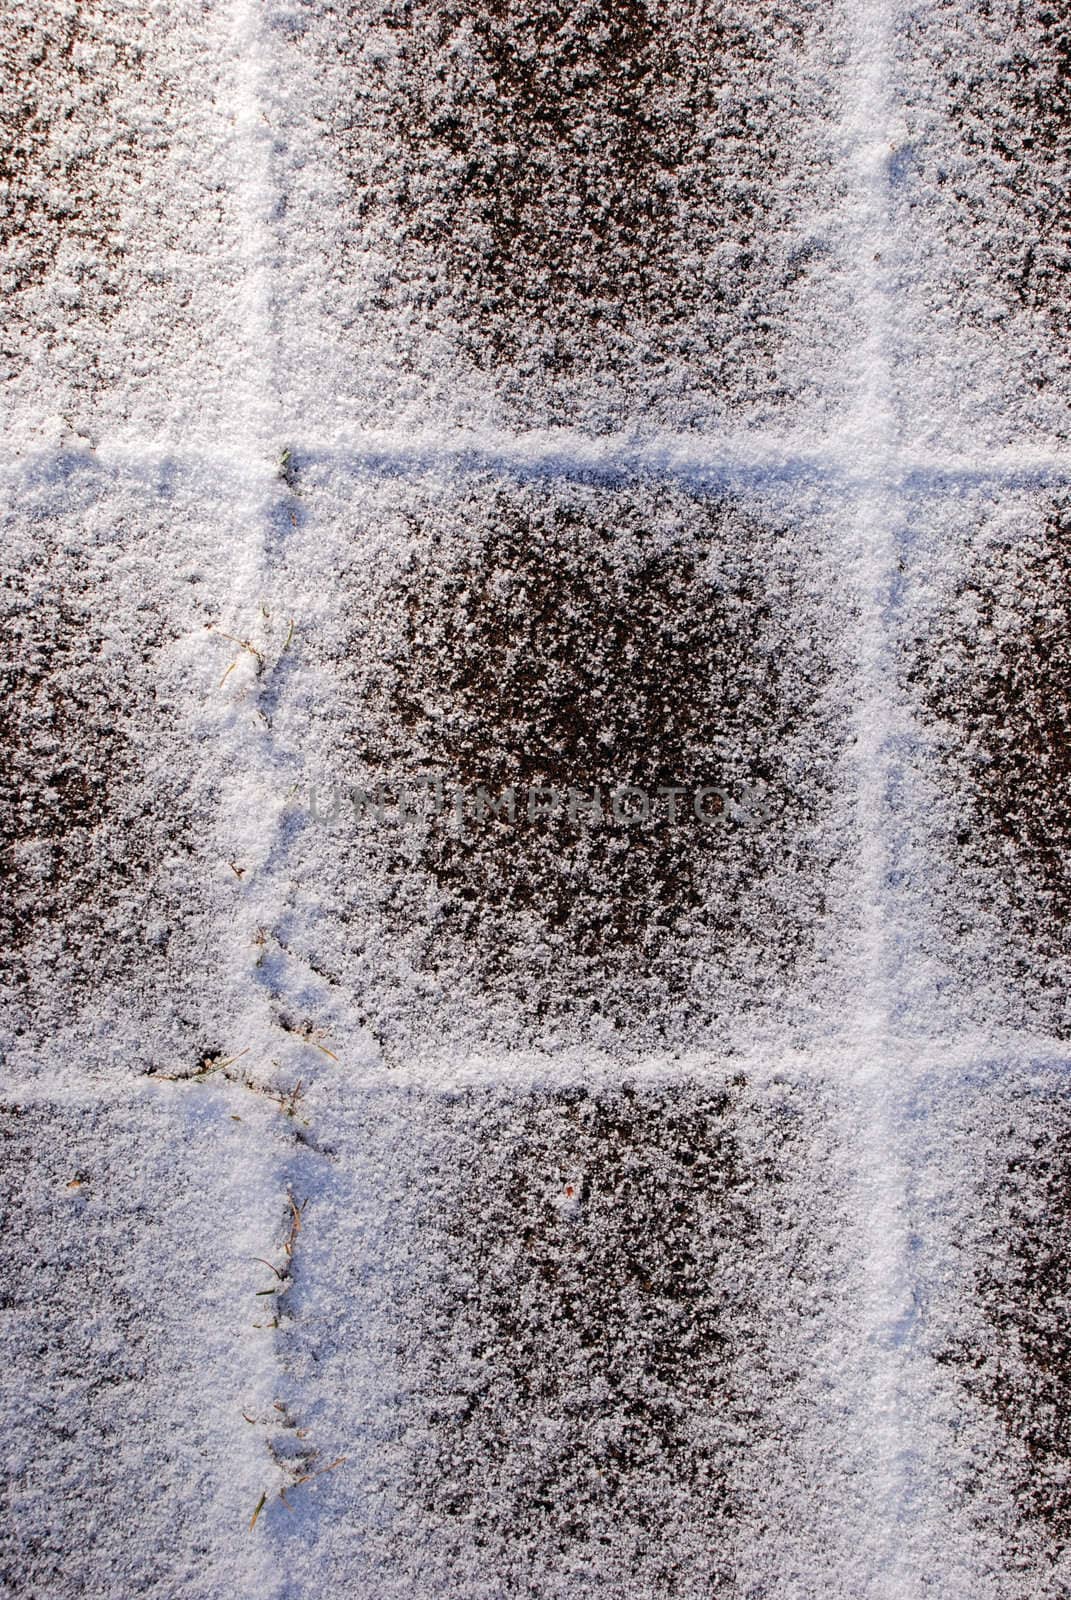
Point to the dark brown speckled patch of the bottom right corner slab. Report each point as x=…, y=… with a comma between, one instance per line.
x=1013, y=1353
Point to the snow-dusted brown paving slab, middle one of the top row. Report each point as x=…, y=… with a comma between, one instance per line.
x=600, y=217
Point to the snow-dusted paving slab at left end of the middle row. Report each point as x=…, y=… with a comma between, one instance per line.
x=129, y=743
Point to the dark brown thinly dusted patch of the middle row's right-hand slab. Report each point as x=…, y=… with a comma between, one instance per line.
x=993, y=682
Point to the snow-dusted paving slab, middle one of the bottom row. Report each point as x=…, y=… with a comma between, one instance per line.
x=571, y=1335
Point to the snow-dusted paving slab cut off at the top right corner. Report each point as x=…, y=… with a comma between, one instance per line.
x=981, y=198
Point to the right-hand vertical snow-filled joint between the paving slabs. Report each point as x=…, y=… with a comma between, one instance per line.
x=884, y=1406
